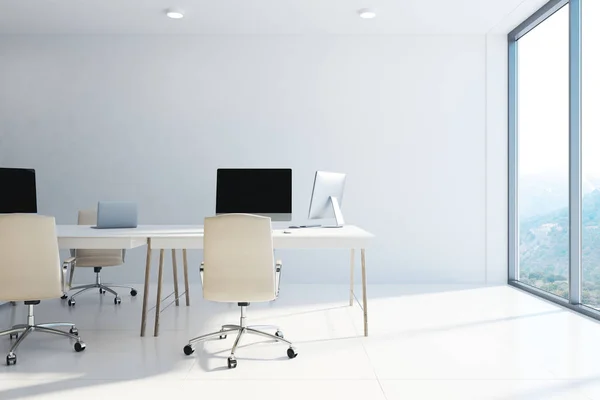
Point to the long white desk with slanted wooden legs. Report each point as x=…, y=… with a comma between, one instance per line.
x=174, y=237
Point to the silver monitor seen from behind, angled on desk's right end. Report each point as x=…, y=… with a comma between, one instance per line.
x=327, y=195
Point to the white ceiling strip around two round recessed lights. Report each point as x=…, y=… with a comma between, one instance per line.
x=256, y=16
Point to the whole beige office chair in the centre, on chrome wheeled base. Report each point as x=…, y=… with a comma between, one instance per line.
x=239, y=268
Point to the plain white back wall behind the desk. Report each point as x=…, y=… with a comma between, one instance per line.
x=151, y=118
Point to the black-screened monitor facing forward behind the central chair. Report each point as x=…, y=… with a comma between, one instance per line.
x=266, y=192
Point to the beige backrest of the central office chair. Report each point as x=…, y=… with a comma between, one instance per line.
x=239, y=263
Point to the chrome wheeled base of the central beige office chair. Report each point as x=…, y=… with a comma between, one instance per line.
x=240, y=330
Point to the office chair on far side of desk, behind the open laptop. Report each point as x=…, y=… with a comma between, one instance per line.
x=96, y=259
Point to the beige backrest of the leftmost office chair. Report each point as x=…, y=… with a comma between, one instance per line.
x=29, y=259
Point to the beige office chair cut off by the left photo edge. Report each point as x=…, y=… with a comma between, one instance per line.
x=31, y=273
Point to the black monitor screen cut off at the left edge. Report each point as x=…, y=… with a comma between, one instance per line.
x=17, y=191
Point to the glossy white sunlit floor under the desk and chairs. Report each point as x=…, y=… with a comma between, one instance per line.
x=426, y=342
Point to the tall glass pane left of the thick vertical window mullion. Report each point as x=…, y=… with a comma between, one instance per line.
x=543, y=156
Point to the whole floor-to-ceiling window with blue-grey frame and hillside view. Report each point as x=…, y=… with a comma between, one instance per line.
x=554, y=168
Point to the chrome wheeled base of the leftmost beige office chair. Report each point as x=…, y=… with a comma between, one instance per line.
x=21, y=331
